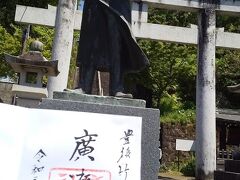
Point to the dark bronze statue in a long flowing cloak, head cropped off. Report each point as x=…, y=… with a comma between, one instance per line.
x=107, y=44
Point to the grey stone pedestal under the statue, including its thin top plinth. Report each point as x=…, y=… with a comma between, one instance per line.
x=118, y=106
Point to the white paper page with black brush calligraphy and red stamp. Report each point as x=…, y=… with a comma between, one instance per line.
x=64, y=145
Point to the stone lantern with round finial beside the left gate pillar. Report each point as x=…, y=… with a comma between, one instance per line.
x=31, y=66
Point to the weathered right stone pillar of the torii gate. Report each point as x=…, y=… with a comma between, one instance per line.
x=206, y=99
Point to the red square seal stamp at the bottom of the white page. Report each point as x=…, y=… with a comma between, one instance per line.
x=74, y=173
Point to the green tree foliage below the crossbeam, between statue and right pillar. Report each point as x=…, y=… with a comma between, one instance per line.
x=171, y=66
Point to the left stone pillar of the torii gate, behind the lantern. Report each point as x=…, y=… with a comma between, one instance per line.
x=62, y=44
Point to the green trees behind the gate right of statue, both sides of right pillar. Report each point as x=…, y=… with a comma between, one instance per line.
x=173, y=66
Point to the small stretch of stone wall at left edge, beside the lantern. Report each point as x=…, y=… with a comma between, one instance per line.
x=5, y=92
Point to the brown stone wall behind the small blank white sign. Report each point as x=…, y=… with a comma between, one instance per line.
x=169, y=134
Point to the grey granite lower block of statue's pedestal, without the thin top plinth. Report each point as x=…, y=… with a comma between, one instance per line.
x=150, y=128
